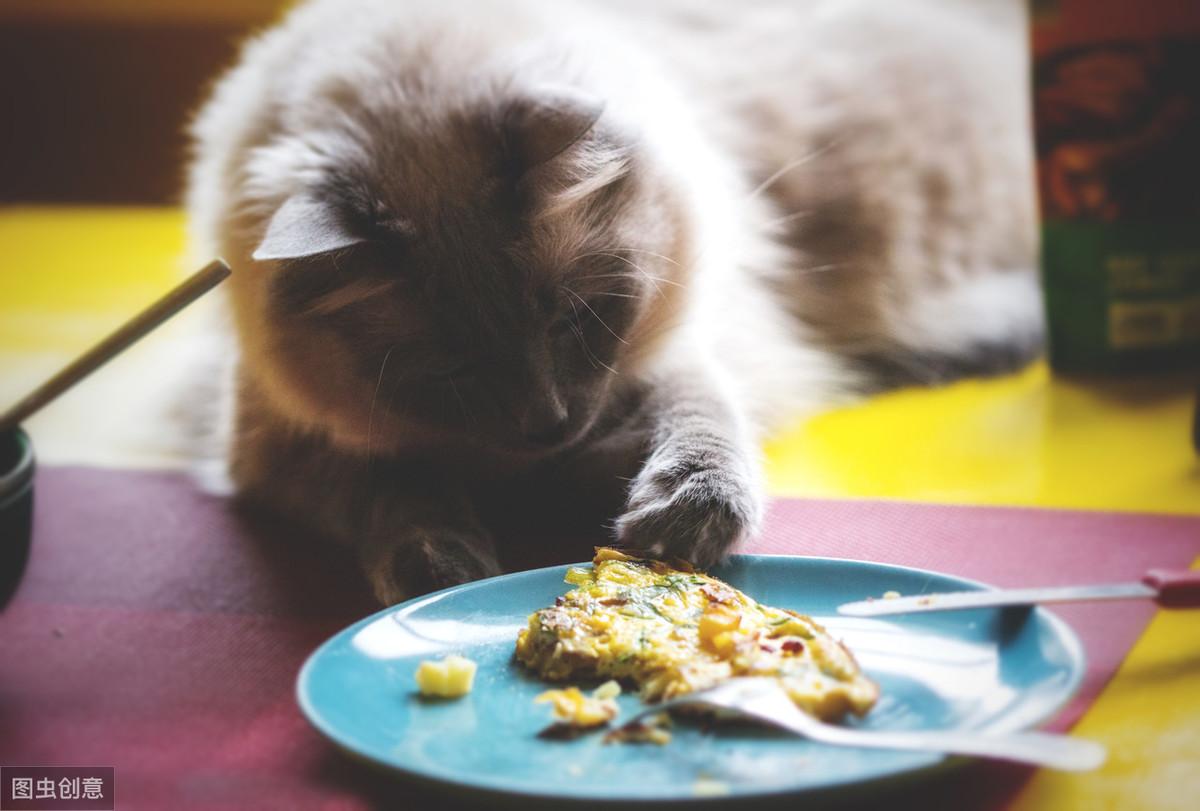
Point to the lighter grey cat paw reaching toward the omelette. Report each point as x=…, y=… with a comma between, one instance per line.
x=691, y=509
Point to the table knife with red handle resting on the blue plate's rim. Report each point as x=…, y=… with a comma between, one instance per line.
x=1169, y=590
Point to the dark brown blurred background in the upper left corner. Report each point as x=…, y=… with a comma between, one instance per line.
x=98, y=93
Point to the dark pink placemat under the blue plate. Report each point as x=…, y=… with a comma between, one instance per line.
x=160, y=630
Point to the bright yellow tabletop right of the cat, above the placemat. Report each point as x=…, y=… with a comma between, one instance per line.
x=1027, y=440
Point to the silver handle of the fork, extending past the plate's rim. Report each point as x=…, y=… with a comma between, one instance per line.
x=1036, y=748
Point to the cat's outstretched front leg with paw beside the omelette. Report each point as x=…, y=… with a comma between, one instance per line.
x=699, y=492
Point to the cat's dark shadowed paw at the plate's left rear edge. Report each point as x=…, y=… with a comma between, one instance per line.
x=424, y=561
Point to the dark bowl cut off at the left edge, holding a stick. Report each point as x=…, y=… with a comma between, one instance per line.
x=16, y=509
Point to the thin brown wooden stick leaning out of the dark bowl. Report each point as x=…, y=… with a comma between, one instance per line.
x=184, y=295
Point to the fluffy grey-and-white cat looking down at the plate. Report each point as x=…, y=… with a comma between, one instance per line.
x=598, y=250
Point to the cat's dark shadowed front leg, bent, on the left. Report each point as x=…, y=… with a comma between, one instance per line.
x=412, y=530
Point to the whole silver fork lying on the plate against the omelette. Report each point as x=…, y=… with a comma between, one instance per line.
x=761, y=699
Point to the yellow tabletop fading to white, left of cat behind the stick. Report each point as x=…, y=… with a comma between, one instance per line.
x=69, y=278
